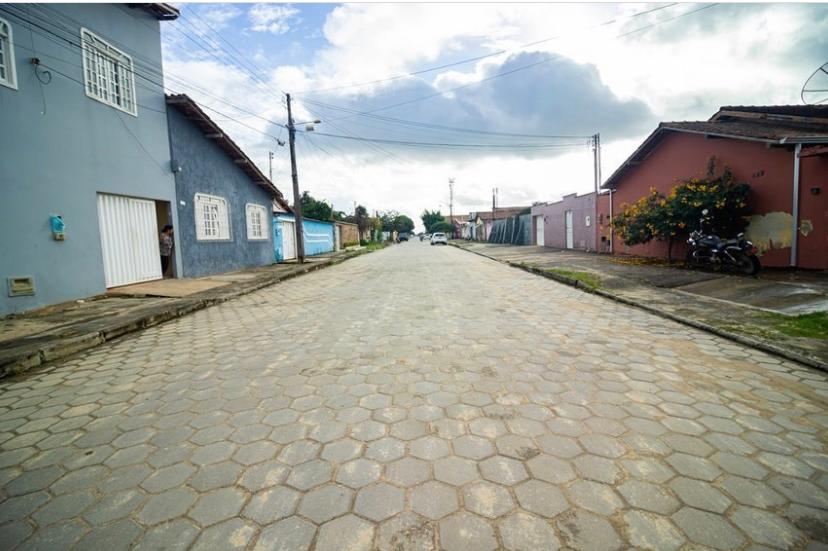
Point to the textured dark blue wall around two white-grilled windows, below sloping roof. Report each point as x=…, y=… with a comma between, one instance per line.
x=206, y=168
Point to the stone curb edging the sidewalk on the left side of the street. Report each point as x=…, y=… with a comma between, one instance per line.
x=15, y=363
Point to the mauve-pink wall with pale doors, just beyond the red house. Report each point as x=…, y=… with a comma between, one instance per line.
x=554, y=222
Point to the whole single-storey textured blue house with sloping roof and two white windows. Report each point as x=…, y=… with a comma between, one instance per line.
x=224, y=201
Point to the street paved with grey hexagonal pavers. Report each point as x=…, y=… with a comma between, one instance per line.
x=416, y=398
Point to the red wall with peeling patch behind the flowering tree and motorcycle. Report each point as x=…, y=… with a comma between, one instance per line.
x=769, y=171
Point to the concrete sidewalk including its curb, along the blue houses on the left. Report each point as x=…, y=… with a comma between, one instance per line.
x=30, y=339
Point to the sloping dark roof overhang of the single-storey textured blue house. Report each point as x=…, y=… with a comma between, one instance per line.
x=190, y=109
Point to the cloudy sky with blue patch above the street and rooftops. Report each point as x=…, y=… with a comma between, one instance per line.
x=509, y=91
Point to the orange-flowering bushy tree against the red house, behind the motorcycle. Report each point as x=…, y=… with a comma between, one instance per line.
x=671, y=217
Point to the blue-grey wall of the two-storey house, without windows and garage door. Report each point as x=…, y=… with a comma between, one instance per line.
x=61, y=148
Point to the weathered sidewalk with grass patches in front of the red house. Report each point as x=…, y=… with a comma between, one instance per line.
x=747, y=310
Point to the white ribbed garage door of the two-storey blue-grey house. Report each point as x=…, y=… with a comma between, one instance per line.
x=128, y=239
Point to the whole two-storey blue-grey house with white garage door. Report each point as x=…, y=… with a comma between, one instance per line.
x=84, y=152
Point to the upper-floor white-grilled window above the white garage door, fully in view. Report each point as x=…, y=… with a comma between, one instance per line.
x=108, y=73
